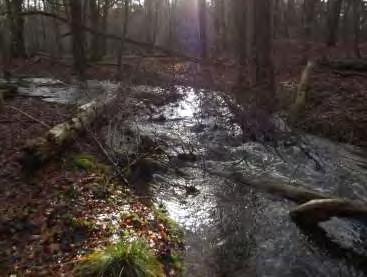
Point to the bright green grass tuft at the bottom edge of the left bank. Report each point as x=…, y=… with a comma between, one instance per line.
x=129, y=259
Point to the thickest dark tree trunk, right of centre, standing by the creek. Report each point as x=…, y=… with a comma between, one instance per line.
x=263, y=45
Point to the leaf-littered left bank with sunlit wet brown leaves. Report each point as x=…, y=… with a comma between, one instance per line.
x=71, y=206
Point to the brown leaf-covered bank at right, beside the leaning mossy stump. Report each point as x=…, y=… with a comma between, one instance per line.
x=337, y=106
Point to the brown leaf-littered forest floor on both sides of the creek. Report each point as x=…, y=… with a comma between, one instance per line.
x=49, y=222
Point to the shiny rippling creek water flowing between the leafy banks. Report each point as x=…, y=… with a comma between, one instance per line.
x=235, y=230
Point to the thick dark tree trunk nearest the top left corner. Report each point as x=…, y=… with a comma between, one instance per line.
x=16, y=23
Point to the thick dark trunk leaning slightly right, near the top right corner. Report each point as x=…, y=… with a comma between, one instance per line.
x=334, y=8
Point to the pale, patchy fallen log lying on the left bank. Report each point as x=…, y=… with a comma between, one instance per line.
x=38, y=151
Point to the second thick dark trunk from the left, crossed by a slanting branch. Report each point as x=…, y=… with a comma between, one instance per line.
x=78, y=36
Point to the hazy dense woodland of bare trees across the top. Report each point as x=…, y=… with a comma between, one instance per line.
x=240, y=29
